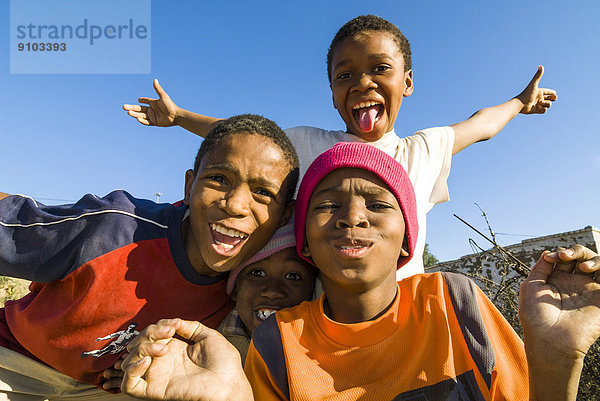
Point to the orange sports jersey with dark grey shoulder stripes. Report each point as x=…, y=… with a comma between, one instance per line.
x=441, y=339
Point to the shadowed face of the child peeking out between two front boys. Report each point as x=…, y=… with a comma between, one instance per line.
x=280, y=281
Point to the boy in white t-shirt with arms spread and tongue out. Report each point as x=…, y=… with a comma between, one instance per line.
x=369, y=68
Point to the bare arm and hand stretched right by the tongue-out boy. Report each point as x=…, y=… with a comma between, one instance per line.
x=487, y=122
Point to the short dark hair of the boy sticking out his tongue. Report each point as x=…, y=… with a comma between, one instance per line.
x=364, y=23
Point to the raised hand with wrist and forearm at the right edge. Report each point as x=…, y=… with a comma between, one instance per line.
x=559, y=308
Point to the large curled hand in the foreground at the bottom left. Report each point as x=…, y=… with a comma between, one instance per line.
x=202, y=366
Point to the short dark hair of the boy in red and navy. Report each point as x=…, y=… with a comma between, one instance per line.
x=254, y=125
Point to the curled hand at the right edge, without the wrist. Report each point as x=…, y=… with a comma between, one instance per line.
x=559, y=303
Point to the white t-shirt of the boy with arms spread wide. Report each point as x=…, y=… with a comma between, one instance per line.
x=425, y=156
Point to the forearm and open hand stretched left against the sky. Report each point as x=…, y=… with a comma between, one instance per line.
x=163, y=112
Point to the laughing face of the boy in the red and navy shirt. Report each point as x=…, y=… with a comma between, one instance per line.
x=236, y=201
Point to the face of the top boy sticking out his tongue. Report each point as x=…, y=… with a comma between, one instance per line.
x=368, y=83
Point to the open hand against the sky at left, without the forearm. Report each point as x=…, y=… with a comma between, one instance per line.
x=161, y=112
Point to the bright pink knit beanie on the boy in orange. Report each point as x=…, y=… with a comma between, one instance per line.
x=366, y=157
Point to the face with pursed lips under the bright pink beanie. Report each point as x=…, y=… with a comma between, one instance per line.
x=354, y=230
